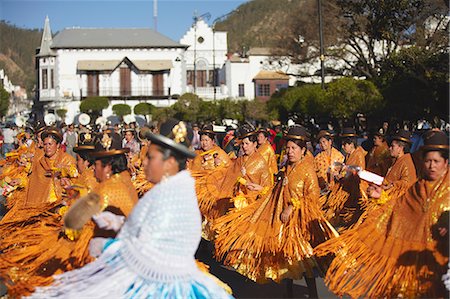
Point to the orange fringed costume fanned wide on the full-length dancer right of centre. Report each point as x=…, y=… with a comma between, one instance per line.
x=258, y=245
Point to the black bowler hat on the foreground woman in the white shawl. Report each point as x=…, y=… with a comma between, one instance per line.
x=174, y=135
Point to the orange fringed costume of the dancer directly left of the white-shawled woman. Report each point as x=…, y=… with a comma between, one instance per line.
x=33, y=254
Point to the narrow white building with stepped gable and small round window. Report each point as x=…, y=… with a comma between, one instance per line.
x=205, y=58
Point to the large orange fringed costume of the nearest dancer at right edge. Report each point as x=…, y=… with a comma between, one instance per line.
x=396, y=252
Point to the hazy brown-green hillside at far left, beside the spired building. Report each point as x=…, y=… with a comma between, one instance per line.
x=17, y=50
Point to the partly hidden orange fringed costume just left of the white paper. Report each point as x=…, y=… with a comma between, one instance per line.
x=343, y=198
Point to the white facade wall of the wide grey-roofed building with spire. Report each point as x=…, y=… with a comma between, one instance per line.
x=68, y=82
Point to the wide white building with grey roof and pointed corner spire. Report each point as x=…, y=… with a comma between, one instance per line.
x=125, y=65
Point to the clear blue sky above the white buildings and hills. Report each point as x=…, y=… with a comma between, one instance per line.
x=174, y=16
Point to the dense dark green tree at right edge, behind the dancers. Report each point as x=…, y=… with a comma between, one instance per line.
x=414, y=83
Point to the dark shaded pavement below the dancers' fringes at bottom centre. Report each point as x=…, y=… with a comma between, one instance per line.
x=245, y=288
